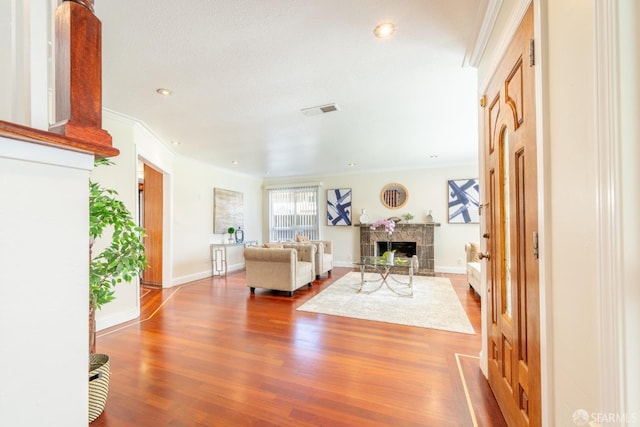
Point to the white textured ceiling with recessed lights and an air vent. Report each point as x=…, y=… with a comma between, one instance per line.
x=241, y=71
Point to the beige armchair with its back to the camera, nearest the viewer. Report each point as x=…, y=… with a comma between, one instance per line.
x=281, y=269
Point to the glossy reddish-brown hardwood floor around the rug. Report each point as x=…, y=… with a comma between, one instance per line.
x=210, y=354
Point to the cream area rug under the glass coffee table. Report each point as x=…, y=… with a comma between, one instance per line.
x=434, y=305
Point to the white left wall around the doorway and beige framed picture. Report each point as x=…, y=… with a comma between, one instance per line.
x=188, y=207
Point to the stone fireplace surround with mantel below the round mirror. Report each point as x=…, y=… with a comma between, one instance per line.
x=421, y=234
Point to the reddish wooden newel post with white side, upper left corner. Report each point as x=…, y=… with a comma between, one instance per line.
x=79, y=73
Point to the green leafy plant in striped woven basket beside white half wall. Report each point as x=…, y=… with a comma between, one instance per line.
x=121, y=261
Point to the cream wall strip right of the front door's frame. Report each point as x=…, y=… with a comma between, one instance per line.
x=571, y=203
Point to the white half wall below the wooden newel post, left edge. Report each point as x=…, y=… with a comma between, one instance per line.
x=44, y=276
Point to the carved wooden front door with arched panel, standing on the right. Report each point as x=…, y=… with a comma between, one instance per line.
x=510, y=233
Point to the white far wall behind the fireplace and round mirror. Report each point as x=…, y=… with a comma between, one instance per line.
x=427, y=191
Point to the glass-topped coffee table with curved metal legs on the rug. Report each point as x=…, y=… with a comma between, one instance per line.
x=404, y=266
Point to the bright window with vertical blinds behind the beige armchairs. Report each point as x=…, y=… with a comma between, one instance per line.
x=293, y=211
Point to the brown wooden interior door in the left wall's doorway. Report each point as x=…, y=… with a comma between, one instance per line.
x=152, y=223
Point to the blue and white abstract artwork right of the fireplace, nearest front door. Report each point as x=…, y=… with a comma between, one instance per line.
x=464, y=200
